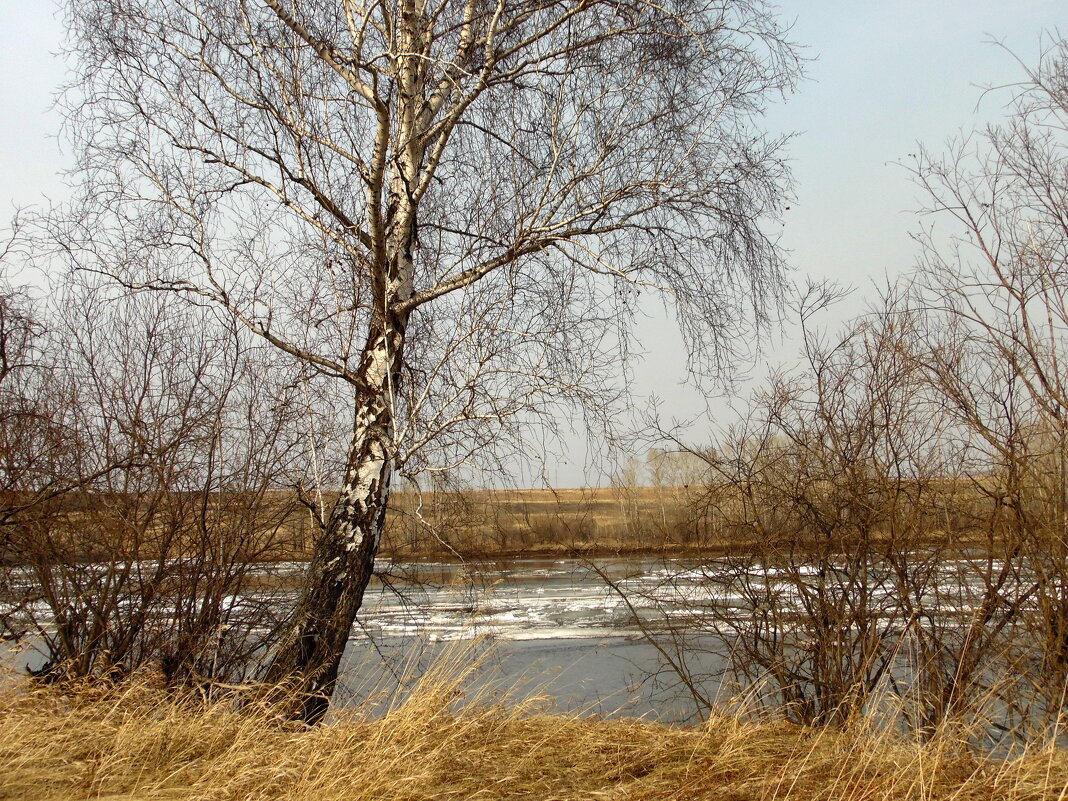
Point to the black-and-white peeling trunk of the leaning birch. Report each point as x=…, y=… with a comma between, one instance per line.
x=343, y=558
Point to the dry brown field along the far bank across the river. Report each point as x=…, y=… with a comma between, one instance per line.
x=507, y=523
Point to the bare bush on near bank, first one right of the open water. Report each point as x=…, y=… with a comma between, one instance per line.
x=834, y=481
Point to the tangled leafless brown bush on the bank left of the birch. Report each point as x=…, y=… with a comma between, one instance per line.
x=178, y=439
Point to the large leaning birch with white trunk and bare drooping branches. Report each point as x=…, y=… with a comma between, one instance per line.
x=447, y=208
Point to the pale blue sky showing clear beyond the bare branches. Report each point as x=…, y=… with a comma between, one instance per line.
x=884, y=76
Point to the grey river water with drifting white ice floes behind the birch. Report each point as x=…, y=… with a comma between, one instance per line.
x=569, y=632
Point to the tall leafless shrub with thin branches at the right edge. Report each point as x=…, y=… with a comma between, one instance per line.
x=994, y=281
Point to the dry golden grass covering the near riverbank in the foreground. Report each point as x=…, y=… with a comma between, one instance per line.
x=144, y=744
